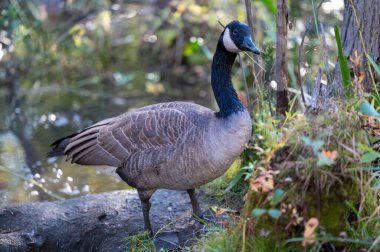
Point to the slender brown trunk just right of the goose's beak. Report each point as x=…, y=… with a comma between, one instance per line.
x=281, y=57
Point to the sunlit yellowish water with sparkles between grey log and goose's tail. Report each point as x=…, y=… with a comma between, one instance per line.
x=19, y=184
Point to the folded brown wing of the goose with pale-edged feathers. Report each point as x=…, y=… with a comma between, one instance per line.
x=112, y=141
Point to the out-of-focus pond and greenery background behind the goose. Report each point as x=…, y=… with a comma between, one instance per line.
x=66, y=64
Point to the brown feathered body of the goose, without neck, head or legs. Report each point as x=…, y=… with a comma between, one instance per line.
x=175, y=145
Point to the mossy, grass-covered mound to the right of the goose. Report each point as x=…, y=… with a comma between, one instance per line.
x=313, y=188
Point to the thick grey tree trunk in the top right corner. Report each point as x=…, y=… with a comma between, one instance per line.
x=368, y=14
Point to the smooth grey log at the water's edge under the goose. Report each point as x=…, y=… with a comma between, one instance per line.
x=91, y=223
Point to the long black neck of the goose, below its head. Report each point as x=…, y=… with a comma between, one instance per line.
x=224, y=92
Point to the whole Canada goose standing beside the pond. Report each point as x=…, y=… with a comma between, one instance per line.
x=173, y=145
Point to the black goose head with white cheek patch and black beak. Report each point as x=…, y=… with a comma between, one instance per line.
x=237, y=38
